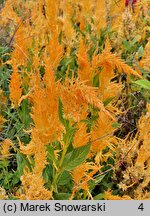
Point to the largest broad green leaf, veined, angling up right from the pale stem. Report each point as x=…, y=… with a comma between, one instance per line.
x=76, y=157
